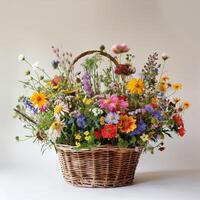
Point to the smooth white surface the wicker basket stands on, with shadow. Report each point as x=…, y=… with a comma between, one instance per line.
x=45, y=185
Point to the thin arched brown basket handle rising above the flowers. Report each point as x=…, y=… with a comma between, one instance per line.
x=92, y=52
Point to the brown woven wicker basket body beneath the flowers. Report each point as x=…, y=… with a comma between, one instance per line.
x=104, y=166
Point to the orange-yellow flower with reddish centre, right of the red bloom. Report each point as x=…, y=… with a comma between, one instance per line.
x=127, y=123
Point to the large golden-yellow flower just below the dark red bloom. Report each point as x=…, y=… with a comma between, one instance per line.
x=135, y=86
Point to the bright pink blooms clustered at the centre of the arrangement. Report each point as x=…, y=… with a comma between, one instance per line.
x=113, y=103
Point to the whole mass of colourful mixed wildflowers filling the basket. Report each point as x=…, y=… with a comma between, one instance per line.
x=104, y=103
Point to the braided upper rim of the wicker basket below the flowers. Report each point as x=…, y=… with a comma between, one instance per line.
x=65, y=147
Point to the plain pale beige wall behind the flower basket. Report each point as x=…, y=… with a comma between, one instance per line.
x=31, y=27
